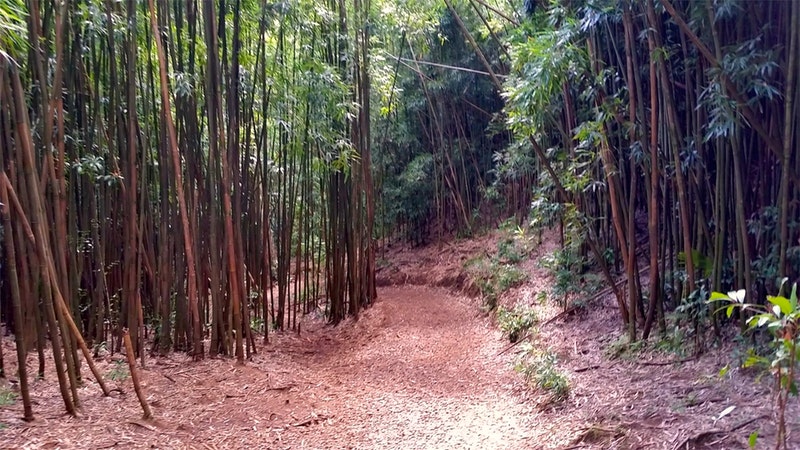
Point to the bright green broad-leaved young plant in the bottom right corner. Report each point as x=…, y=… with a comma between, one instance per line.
x=780, y=318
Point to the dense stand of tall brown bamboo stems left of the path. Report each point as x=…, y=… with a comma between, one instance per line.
x=190, y=171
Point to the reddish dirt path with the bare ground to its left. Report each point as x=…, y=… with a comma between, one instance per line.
x=418, y=370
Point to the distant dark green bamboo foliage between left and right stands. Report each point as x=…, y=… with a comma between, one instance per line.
x=433, y=153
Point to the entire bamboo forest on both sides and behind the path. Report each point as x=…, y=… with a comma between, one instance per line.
x=200, y=172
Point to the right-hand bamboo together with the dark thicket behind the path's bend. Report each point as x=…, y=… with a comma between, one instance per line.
x=660, y=137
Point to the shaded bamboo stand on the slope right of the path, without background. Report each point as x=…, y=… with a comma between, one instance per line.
x=669, y=132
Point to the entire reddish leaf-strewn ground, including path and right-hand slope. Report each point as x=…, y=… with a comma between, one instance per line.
x=424, y=368
